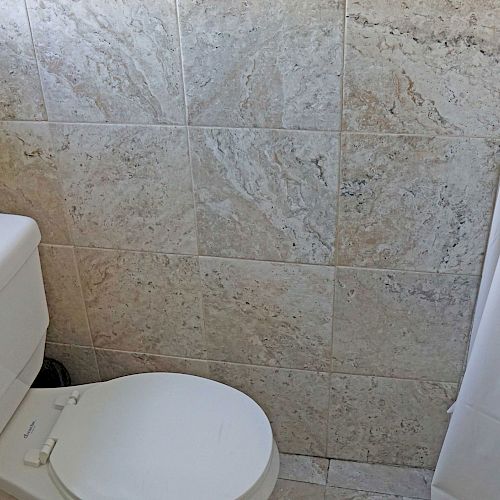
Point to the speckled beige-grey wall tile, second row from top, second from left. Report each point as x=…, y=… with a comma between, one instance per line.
x=127, y=187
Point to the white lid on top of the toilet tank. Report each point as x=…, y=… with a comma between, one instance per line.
x=19, y=237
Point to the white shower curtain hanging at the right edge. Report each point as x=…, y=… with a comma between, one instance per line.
x=469, y=463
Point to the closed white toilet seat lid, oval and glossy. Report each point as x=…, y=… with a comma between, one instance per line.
x=162, y=435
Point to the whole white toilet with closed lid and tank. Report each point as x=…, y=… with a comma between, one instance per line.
x=148, y=436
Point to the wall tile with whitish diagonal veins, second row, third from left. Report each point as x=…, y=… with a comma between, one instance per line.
x=266, y=194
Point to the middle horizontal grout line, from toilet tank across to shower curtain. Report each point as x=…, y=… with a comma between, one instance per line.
x=270, y=261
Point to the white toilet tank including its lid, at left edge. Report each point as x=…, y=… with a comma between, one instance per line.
x=23, y=311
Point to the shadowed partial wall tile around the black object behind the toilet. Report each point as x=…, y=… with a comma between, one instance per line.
x=79, y=361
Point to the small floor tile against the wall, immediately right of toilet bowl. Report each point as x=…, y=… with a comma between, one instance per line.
x=303, y=468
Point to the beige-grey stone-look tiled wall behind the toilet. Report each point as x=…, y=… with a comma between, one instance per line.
x=290, y=197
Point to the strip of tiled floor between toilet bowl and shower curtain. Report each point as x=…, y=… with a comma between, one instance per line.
x=311, y=478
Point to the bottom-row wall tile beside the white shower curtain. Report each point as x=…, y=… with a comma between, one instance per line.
x=391, y=421
